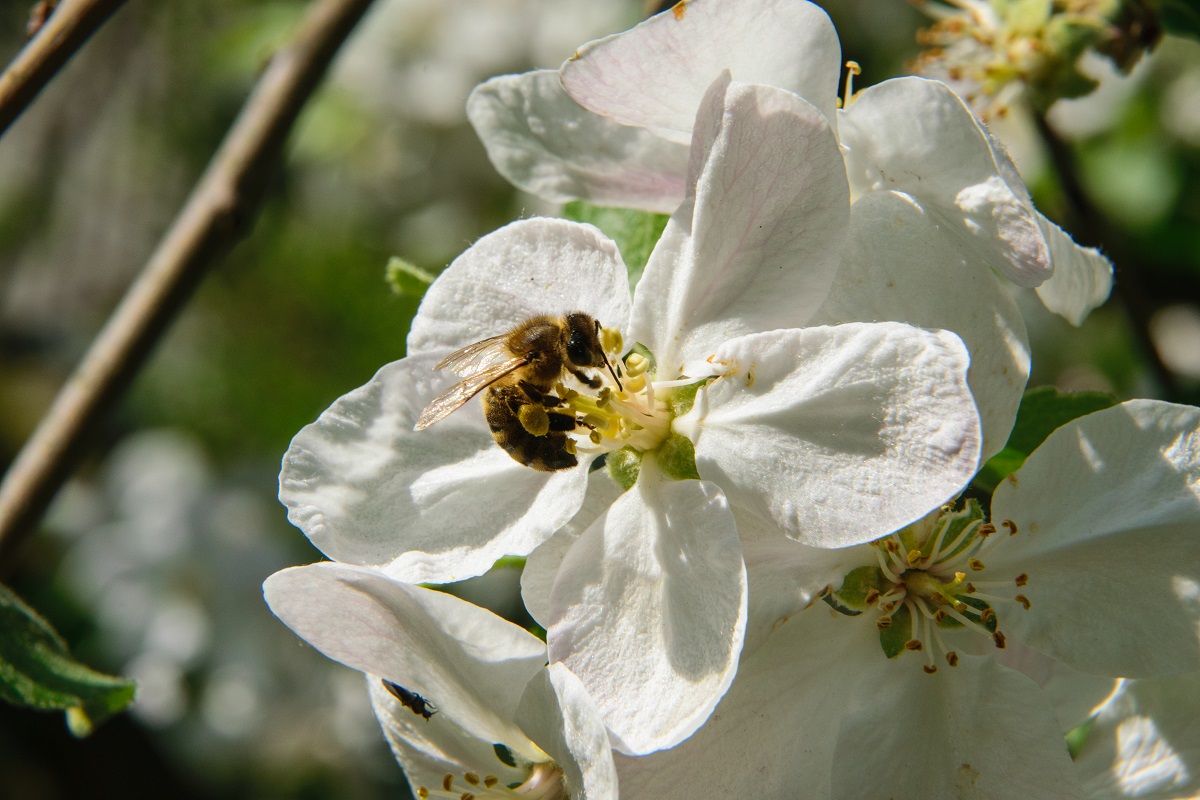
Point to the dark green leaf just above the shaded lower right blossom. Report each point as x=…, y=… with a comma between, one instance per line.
x=1043, y=411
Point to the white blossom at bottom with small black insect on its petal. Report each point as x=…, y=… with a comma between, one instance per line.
x=472, y=708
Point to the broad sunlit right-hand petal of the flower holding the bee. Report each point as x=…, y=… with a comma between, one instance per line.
x=838, y=435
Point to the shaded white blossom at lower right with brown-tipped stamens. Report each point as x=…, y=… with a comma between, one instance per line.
x=1091, y=563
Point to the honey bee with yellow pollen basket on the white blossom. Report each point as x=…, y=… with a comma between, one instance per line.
x=519, y=370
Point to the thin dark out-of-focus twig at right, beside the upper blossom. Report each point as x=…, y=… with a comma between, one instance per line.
x=1094, y=230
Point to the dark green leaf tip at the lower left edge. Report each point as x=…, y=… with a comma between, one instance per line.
x=38, y=672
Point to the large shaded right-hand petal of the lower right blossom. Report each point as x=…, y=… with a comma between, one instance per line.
x=1109, y=518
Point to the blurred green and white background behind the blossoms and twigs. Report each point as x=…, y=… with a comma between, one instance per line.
x=152, y=561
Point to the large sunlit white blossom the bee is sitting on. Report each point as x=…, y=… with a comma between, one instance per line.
x=836, y=434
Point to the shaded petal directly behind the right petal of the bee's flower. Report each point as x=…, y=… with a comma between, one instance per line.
x=898, y=267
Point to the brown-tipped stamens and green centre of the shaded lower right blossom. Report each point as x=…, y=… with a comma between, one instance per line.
x=929, y=580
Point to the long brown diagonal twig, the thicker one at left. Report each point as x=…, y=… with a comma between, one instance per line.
x=218, y=214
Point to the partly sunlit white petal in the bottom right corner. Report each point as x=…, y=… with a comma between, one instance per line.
x=1145, y=743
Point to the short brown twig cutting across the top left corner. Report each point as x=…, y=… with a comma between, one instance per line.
x=53, y=45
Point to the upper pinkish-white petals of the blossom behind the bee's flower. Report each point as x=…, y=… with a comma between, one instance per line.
x=613, y=127
